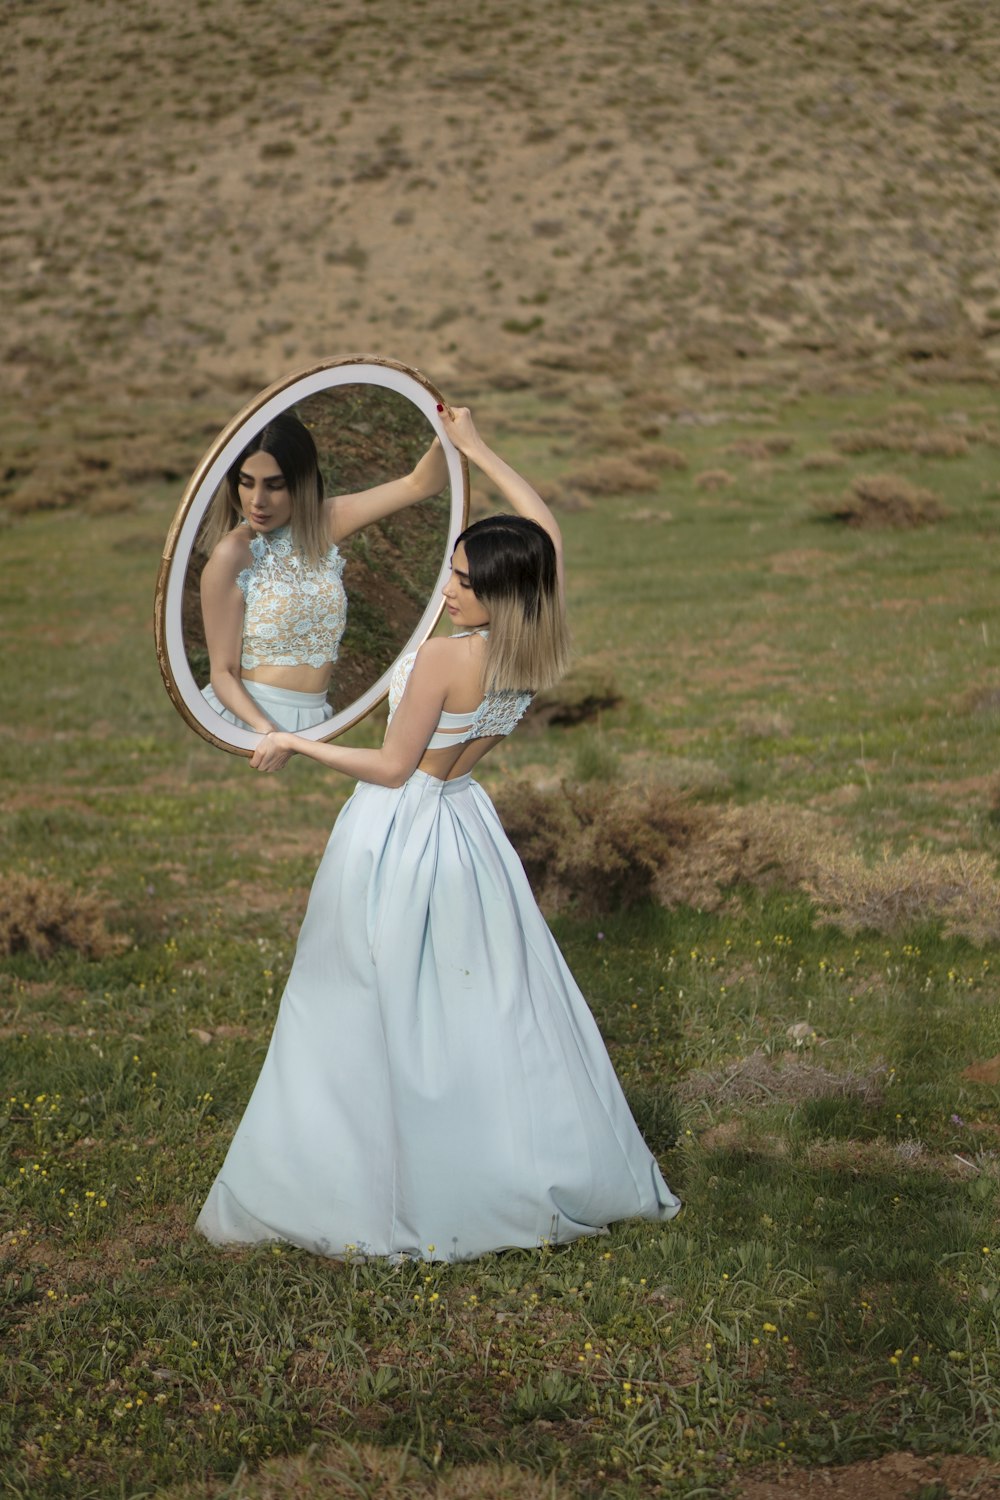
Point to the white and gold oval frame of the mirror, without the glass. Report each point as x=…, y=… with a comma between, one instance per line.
x=361, y=370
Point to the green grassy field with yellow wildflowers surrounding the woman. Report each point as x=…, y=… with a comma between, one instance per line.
x=815, y=1054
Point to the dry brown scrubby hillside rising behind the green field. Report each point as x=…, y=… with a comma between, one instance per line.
x=202, y=197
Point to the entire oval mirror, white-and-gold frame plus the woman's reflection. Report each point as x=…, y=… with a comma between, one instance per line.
x=391, y=497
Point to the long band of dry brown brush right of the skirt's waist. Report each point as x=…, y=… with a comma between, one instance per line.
x=599, y=848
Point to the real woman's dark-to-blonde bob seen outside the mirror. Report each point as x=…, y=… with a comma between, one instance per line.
x=515, y=575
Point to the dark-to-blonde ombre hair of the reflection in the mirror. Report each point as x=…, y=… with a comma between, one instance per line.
x=293, y=448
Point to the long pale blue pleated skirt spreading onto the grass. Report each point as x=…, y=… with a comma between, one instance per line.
x=436, y=1085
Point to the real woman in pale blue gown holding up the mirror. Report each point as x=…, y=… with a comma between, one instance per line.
x=437, y=1085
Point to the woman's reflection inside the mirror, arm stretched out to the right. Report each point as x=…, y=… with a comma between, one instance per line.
x=272, y=593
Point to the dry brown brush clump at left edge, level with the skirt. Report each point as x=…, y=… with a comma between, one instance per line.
x=40, y=916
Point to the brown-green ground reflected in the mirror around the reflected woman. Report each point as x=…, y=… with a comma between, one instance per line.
x=365, y=436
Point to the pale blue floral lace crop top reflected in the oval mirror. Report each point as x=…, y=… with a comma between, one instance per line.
x=295, y=613
